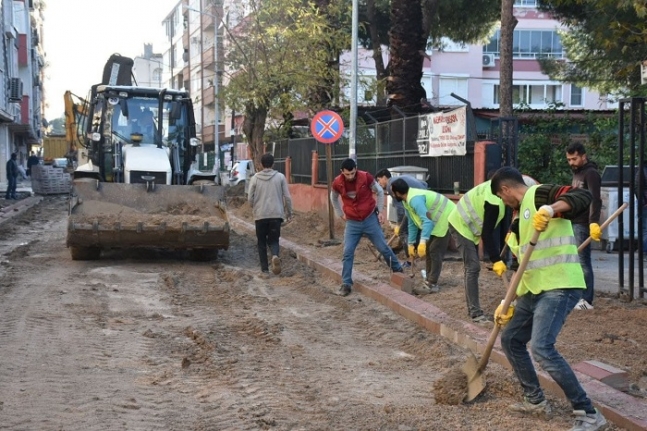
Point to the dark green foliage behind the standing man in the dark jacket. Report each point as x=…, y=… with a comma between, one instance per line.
x=544, y=139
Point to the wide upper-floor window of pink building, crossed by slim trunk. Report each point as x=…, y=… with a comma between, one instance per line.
x=529, y=44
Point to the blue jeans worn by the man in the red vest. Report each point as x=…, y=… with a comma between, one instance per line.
x=354, y=231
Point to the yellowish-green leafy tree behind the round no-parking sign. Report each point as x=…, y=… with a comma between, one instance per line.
x=276, y=60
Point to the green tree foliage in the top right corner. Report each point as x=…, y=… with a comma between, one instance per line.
x=605, y=43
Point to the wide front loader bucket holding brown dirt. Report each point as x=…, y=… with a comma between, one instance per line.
x=115, y=215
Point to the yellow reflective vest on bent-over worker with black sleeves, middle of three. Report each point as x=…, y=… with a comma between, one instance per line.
x=467, y=218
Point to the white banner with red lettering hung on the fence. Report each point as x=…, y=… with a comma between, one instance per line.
x=443, y=133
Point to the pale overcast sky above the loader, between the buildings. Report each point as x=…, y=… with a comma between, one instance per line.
x=80, y=35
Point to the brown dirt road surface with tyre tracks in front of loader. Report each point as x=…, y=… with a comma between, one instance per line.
x=148, y=340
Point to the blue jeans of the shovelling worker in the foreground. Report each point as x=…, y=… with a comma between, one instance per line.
x=540, y=318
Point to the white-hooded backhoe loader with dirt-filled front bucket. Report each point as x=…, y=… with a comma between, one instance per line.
x=141, y=184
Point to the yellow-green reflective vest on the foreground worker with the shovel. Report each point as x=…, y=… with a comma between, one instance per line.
x=554, y=263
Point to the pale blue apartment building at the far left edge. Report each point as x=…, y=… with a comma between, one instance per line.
x=21, y=74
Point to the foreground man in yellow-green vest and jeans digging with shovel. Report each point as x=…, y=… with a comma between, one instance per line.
x=549, y=288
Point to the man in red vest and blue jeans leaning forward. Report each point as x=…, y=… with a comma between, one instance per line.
x=363, y=216
